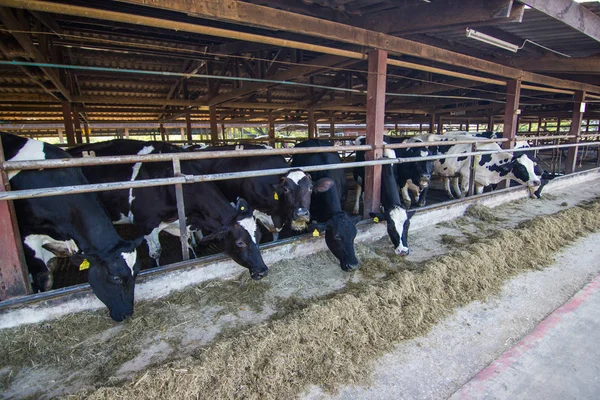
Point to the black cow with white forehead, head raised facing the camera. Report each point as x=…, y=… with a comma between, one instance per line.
x=277, y=199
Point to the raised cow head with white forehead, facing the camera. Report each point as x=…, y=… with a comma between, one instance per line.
x=293, y=195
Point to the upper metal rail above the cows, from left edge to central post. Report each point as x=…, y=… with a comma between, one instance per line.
x=199, y=155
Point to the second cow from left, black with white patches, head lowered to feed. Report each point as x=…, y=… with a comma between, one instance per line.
x=154, y=209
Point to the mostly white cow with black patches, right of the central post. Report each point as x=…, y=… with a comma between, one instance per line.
x=489, y=168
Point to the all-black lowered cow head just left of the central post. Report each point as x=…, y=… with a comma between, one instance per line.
x=340, y=231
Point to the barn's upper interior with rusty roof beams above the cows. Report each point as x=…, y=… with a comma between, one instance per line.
x=278, y=72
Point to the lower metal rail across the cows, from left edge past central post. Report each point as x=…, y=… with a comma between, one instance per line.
x=97, y=187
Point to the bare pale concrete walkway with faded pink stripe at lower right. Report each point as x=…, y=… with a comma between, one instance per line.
x=536, y=340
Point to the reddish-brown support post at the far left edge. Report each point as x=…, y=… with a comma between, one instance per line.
x=14, y=277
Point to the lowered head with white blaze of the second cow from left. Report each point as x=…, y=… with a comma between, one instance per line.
x=240, y=238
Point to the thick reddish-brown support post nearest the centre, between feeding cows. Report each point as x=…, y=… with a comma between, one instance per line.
x=375, y=122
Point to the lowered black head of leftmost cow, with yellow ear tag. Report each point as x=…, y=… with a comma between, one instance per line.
x=111, y=274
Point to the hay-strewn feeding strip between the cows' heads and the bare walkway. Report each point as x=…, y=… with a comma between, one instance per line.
x=307, y=323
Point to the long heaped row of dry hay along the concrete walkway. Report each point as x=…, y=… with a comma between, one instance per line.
x=334, y=341
